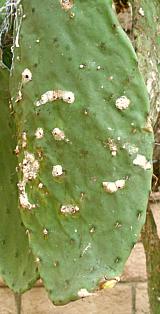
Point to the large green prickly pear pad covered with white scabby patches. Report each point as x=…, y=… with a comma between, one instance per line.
x=84, y=142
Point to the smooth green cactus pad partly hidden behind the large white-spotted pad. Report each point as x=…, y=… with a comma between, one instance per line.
x=17, y=264
